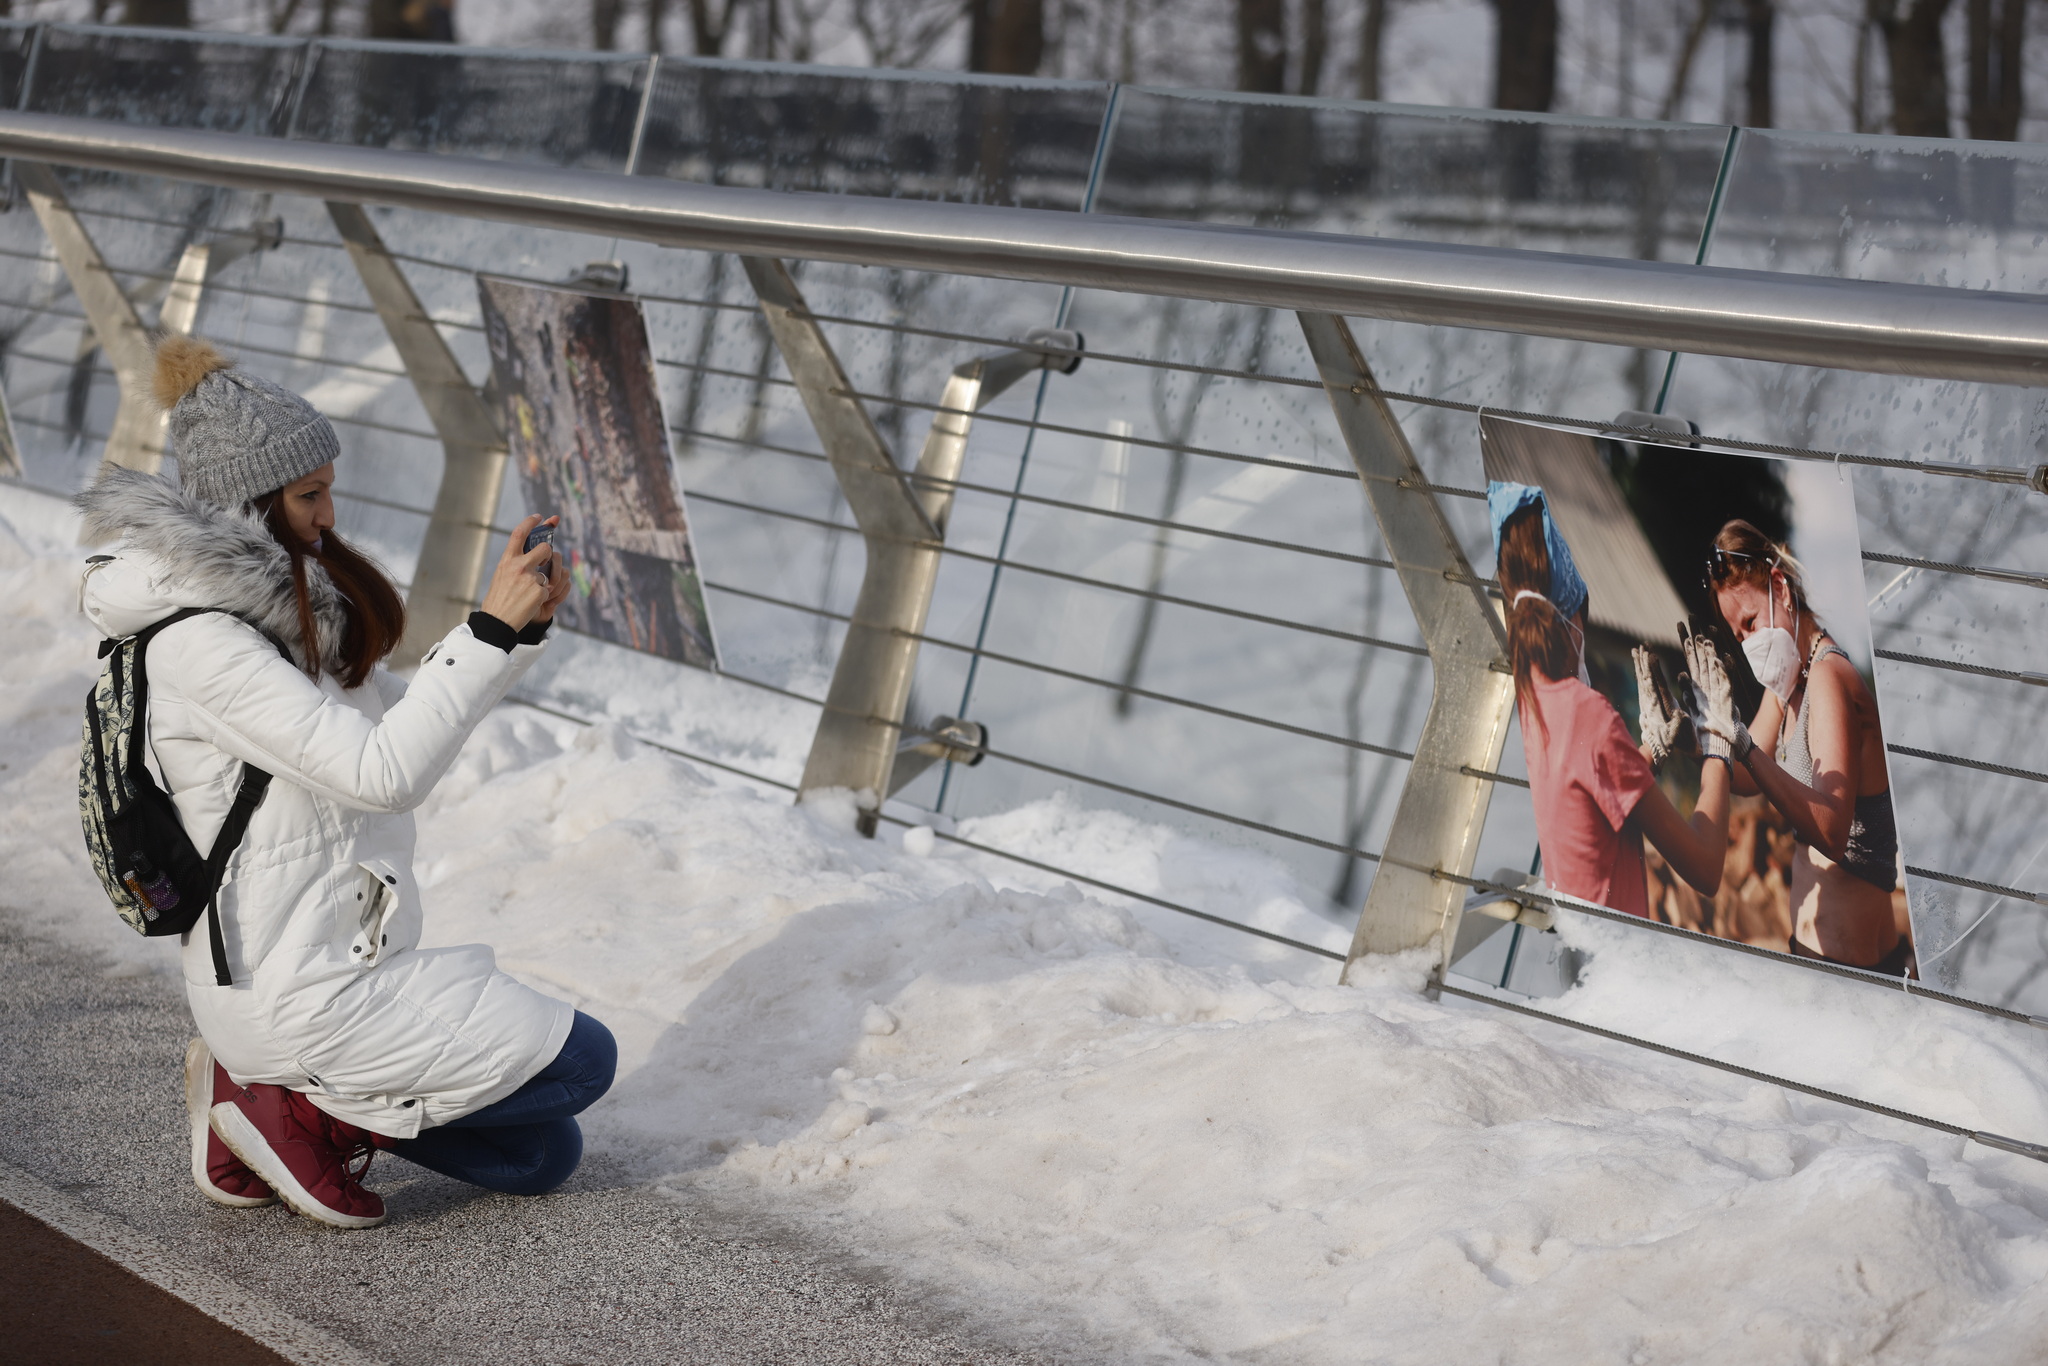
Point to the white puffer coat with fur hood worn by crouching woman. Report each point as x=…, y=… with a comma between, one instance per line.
x=361, y=1019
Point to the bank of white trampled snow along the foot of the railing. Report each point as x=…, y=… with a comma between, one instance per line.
x=1152, y=1140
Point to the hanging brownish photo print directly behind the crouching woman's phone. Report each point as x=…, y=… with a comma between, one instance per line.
x=583, y=415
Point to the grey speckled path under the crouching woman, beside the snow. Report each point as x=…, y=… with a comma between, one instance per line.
x=597, y=1273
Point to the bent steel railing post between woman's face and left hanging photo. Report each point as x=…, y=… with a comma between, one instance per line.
x=458, y=542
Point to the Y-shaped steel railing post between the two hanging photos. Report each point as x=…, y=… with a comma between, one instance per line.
x=902, y=517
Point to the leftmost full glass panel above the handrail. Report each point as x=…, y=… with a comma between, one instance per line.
x=218, y=83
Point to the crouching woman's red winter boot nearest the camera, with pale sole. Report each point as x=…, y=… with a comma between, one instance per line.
x=310, y=1158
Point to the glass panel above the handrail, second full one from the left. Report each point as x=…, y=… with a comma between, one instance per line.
x=558, y=110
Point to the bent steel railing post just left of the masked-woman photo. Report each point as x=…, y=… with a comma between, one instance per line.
x=1443, y=804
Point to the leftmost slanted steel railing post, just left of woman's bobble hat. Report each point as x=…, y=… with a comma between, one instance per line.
x=138, y=437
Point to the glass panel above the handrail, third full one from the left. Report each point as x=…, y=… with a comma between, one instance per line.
x=792, y=128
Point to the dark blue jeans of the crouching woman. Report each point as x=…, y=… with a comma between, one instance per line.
x=525, y=1144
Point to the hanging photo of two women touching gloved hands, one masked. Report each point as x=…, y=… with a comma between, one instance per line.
x=1695, y=691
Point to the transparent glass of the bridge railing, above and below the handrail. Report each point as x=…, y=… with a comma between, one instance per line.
x=1189, y=482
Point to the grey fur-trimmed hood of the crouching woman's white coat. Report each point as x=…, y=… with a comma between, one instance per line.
x=183, y=552
